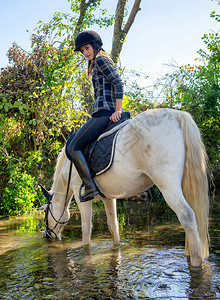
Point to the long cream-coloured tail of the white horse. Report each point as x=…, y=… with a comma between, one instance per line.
x=195, y=182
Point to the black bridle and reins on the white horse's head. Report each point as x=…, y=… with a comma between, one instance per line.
x=48, y=230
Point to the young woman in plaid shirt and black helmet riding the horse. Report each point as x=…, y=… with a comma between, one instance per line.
x=108, y=94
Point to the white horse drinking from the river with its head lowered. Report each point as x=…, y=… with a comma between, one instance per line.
x=161, y=147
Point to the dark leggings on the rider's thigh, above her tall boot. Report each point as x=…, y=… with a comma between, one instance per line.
x=87, y=133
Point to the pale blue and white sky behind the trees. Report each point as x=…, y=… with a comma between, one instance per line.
x=164, y=31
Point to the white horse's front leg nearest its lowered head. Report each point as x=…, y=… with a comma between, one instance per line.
x=86, y=220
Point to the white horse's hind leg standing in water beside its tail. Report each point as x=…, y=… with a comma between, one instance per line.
x=186, y=216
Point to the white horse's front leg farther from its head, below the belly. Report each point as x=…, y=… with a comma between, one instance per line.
x=111, y=212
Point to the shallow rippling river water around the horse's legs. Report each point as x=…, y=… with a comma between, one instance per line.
x=149, y=264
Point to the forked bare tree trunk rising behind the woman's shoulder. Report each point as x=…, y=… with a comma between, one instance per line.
x=120, y=32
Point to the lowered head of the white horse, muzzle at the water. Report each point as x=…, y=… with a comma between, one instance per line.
x=54, y=216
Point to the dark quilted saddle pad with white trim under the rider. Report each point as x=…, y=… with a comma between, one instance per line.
x=100, y=153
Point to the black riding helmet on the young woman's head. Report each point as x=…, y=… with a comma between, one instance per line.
x=87, y=37
